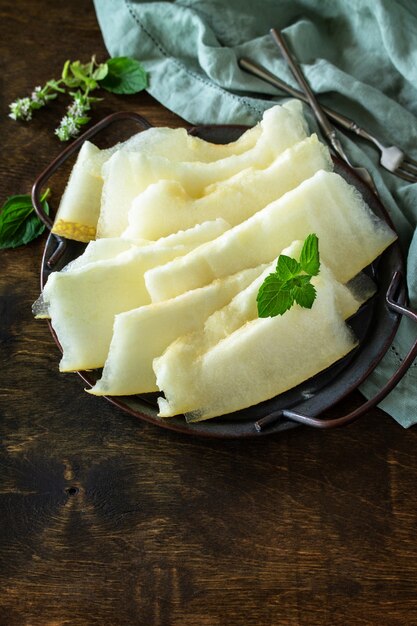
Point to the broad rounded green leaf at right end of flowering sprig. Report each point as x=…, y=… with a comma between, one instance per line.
x=125, y=76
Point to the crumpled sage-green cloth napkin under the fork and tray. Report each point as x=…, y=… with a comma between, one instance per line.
x=360, y=57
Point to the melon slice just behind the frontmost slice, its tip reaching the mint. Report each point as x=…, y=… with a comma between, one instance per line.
x=142, y=334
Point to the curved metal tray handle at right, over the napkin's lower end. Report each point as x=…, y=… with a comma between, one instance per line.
x=317, y=422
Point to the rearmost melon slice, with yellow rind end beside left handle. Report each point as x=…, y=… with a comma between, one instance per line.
x=79, y=208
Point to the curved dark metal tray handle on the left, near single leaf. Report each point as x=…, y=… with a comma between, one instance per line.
x=43, y=178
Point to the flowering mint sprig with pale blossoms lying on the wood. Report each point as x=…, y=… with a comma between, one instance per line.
x=121, y=75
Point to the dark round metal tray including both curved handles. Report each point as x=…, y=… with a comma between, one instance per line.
x=375, y=325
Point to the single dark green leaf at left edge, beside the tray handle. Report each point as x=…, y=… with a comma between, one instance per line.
x=19, y=223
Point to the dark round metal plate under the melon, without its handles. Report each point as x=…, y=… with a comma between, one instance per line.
x=374, y=325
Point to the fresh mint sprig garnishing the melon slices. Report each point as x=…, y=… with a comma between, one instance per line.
x=291, y=281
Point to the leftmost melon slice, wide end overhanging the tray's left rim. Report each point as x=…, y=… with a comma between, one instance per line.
x=83, y=301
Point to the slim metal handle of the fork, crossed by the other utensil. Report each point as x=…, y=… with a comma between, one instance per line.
x=264, y=74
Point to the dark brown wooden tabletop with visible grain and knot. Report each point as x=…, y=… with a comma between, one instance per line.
x=108, y=520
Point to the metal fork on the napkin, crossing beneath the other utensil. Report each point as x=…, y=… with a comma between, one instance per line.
x=391, y=158
